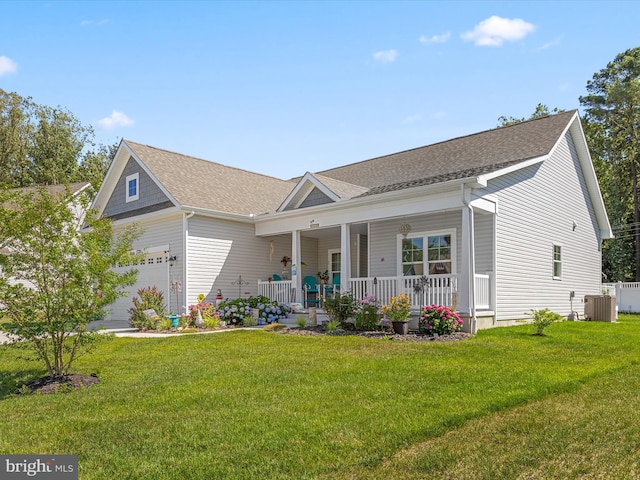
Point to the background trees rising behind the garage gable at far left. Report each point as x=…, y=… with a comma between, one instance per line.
x=42, y=145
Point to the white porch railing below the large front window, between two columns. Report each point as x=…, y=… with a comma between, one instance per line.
x=439, y=289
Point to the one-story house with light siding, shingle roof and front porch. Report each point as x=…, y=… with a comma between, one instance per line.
x=498, y=222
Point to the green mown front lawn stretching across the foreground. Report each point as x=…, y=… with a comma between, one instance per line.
x=252, y=404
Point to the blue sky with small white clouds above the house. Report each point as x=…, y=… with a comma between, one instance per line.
x=287, y=87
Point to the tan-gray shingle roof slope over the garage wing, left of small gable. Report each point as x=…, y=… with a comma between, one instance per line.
x=198, y=183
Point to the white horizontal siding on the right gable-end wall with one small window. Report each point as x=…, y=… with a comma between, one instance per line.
x=537, y=208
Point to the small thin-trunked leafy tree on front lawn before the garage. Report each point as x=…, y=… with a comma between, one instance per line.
x=54, y=279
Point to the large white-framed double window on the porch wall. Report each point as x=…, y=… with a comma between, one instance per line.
x=428, y=253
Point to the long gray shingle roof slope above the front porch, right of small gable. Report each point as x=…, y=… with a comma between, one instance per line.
x=461, y=157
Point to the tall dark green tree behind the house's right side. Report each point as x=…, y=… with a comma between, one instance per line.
x=612, y=126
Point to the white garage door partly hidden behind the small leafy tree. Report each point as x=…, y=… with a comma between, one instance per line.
x=153, y=272
